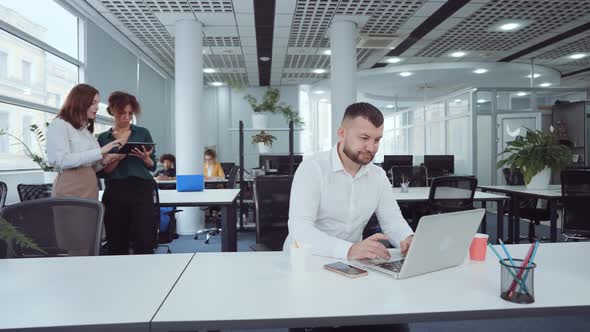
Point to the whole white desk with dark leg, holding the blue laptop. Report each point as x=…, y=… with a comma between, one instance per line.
x=225, y=198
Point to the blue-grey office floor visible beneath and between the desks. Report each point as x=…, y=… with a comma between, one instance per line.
x=570, y=323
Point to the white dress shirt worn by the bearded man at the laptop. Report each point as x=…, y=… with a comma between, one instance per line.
x=329, y=208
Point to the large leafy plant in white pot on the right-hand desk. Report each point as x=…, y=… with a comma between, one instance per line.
x=536, y=154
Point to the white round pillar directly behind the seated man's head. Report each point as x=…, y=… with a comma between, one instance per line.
x=342, y=70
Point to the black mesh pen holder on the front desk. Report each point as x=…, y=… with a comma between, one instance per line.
x=517, y=282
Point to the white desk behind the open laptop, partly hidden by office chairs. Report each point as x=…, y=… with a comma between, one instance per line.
x=420, y=194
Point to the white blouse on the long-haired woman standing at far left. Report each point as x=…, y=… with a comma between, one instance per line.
x=68, y=147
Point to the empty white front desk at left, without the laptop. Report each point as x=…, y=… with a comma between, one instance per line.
x=100, y=293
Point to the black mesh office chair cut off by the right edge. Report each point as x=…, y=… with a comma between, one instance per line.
x=575, y=191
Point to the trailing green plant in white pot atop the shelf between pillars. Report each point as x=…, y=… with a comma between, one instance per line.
x=270, y=104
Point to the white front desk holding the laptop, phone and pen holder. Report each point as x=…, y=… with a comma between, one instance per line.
x=256, y=290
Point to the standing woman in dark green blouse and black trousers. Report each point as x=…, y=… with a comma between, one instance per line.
x=128, y=196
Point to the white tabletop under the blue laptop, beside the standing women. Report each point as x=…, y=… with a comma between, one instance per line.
x=195, y=198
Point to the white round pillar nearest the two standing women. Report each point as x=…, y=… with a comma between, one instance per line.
x=188, y=48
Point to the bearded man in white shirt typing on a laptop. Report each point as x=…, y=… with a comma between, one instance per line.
x=335, y=193
